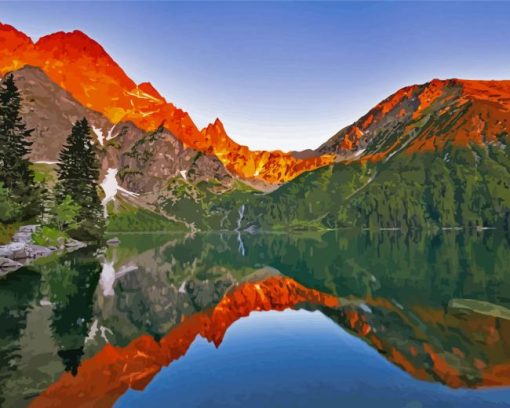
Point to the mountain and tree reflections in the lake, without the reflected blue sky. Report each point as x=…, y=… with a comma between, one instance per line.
x=437, y=306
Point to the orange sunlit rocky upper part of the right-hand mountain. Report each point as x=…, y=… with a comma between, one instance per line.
x=423, y=118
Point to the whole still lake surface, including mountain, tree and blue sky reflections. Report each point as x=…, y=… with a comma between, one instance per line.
x=431, y=314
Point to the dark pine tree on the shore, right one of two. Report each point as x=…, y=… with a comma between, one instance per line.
x=78, y=174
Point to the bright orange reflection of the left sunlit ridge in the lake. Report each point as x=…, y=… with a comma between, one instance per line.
x=102, y=379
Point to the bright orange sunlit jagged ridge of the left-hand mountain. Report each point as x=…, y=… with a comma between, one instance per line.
x=83, y=68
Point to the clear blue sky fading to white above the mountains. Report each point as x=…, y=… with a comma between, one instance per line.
x=284, y=75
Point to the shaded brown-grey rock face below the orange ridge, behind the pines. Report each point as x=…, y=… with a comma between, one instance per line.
x=51, y=112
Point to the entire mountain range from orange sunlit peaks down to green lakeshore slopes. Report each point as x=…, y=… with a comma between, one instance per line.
x=431, y=156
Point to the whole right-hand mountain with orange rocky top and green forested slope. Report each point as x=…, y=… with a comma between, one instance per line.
x=430, y=156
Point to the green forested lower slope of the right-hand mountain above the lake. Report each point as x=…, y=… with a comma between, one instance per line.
x=453, y=187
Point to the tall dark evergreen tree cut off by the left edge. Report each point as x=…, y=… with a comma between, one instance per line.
x=15, y=171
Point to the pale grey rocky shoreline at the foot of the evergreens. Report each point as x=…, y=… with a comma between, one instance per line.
x=21, y=250
